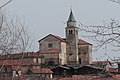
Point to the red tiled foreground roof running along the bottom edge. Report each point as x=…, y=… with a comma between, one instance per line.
x=75, y=77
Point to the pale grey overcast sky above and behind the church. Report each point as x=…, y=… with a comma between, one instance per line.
x=48, y=16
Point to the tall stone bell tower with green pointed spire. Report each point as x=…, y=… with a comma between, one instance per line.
x=72, y=39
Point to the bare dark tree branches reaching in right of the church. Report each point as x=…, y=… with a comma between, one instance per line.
x=107, y=34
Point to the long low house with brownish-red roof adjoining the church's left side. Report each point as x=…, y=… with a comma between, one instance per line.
x=28, y=56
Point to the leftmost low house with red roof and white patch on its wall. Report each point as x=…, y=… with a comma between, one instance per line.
x=14, y=68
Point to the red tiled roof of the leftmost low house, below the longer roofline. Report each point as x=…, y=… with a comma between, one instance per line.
x=17, y=63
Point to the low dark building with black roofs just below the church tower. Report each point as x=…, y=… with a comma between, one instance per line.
x=83, y=70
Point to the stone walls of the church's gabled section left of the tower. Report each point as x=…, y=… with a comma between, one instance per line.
x=58, y=58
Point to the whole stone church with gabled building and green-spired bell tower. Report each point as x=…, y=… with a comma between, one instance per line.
x=70, y=50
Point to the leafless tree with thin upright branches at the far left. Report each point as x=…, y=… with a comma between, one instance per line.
x=13, y=35
